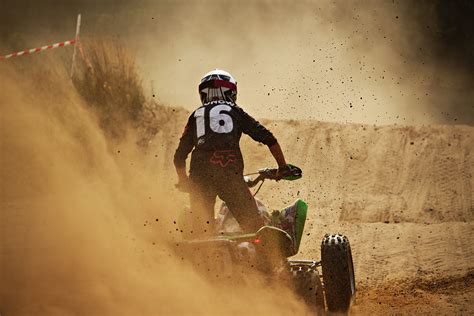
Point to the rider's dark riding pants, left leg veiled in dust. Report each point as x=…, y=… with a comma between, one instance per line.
x=231, y=188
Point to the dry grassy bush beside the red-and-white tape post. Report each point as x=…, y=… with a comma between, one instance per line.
x=109, y=82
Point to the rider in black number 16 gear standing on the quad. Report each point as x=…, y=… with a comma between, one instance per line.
x=216, y=168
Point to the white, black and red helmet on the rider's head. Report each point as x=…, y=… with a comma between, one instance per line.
x=218, y=85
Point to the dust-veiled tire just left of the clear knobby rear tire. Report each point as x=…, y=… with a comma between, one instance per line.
x=308, y=286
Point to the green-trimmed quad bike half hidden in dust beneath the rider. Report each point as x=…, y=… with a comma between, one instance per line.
x=230, y=255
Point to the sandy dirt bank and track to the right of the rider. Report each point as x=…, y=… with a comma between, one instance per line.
x=403, y=195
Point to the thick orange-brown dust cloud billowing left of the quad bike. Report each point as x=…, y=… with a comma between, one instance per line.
x=86, y=225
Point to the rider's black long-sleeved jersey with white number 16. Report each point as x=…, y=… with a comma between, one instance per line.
x=214, y=131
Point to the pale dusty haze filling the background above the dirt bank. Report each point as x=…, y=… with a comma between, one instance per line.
x=379, y=62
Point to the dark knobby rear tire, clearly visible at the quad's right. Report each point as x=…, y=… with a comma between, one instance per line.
x=338, y=272
